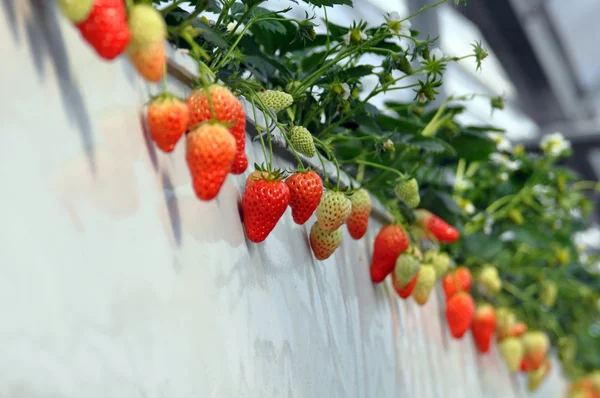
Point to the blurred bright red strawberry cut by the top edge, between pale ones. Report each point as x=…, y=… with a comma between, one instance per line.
x=106, y=28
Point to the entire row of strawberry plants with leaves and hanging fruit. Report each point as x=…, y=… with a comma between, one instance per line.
x=497, y=224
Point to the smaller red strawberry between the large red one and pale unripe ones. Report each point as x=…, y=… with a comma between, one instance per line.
x=306, y=189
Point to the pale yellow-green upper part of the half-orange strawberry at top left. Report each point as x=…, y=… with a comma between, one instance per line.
x=147, y=26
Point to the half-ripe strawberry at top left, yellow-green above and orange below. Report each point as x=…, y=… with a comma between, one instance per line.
x=146, y=49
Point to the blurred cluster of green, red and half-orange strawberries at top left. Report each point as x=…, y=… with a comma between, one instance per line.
x=111, y=29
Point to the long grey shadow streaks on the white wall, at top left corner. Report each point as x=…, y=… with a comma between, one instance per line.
x=46, y=40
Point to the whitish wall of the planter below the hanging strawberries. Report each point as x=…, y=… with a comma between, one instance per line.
x=115, y=281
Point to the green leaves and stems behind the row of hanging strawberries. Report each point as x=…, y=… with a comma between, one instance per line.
x=516, y=210
